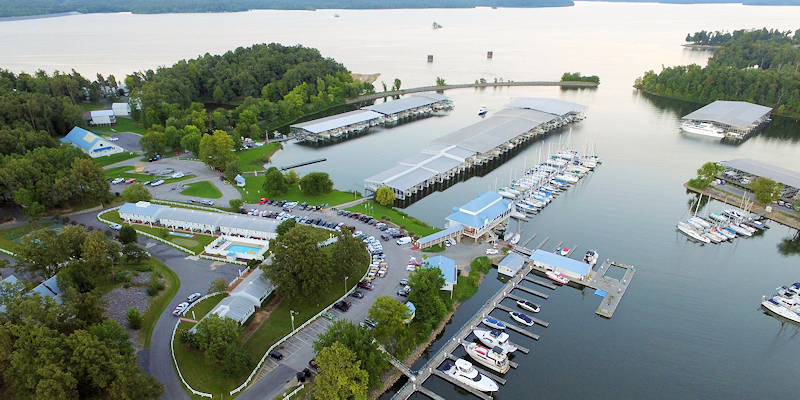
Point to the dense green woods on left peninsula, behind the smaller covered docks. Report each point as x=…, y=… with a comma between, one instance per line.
x=269, y=85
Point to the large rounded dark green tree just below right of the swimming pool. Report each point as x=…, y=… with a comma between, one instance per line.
x=299, y=269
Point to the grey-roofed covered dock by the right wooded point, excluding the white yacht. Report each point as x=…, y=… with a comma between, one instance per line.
x=738, y=119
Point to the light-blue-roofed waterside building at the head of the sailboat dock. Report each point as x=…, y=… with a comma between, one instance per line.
x=481, y=215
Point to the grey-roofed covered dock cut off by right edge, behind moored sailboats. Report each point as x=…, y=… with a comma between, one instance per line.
x=745, y=170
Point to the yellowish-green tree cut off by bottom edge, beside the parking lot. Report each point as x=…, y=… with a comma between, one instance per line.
x=341, y=375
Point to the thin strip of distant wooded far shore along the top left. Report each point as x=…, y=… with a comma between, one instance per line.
x=11, y=8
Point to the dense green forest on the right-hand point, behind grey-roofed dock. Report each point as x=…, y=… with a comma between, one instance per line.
x=758, y=66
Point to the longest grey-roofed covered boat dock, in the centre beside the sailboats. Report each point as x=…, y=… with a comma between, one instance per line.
x=476, y=148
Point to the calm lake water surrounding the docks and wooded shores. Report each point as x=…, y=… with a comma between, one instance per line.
x=690, y=325
